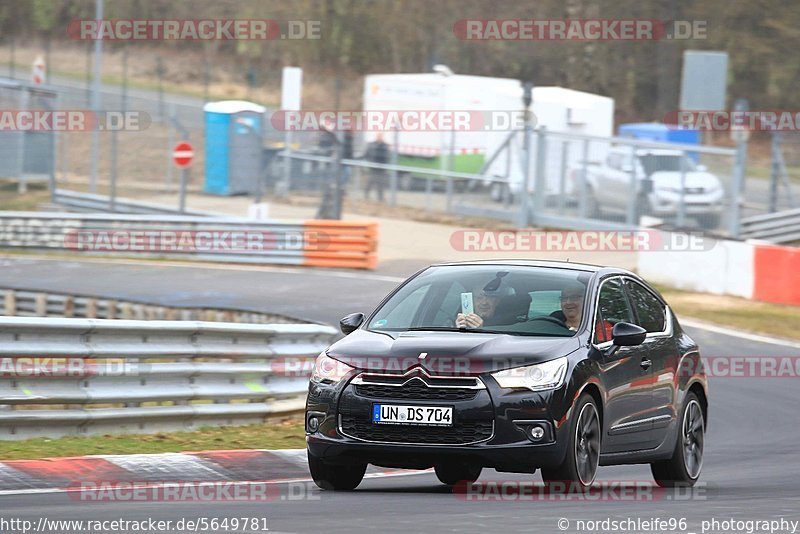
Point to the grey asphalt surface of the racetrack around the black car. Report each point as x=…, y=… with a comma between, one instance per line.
x=751, y=459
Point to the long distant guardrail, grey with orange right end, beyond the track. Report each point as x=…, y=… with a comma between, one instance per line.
x=314, y=242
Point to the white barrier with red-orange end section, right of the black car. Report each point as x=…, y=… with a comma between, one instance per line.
x=750, y=269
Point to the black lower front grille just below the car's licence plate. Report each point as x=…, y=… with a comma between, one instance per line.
x=462, y=433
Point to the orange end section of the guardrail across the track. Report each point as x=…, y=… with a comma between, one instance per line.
x=352, y=245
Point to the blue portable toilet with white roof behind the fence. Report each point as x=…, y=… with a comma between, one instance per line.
x=234, y=139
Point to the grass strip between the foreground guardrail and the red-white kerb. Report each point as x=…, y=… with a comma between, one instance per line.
x=288, y=434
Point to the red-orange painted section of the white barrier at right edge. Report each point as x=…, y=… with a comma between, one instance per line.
x=777, y=274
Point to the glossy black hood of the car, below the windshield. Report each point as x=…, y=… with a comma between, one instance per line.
x=447, y=353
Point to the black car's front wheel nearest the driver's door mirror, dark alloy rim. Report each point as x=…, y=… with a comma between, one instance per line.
x=583, y=450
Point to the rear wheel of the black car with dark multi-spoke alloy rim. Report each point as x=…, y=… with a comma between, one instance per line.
x=683, y=469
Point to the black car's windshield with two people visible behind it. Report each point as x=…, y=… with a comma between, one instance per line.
x=516, y=300
